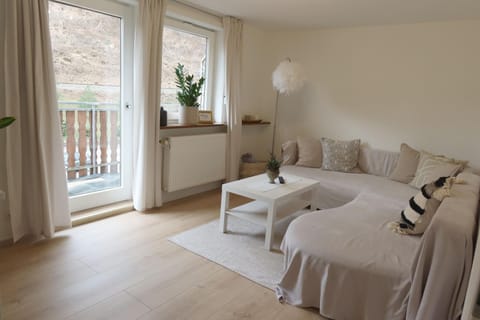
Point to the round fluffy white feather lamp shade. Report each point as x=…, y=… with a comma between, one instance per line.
x=288, y=77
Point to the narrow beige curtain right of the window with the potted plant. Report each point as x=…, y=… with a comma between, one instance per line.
x=233, y=67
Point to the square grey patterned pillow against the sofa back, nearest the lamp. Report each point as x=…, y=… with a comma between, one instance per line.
x=340, y=155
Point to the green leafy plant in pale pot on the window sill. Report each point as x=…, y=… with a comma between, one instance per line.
x=188, y=95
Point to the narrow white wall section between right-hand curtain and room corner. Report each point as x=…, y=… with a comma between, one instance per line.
x=257, y=91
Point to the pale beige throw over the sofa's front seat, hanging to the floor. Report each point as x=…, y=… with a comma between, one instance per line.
x=345, y=261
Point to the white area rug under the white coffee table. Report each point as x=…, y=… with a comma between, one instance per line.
x=241, y=249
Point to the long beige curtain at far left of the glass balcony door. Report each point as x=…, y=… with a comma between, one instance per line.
x=37, y=188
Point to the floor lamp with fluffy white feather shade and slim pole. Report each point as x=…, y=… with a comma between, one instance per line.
x=288, y=77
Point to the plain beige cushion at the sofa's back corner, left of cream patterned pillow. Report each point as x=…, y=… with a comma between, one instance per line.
x=377, y=162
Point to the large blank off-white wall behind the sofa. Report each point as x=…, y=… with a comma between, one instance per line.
x=417, y=83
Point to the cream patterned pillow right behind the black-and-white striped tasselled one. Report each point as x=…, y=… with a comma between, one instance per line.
x=431, y=167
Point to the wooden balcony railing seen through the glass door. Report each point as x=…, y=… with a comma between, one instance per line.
x=91, y=137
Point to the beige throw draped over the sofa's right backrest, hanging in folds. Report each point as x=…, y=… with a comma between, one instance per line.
x=441, y=269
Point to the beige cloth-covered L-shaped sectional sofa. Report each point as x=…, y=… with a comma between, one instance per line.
x=345, y=261
